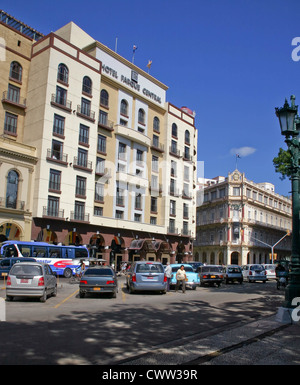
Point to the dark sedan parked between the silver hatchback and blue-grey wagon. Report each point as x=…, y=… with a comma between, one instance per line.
x=98, y=279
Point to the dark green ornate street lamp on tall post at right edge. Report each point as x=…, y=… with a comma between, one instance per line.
x=290, y=124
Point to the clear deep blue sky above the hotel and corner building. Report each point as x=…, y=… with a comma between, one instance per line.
x=230, y=61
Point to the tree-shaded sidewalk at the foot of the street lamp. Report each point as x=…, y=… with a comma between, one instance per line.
x=263, y=342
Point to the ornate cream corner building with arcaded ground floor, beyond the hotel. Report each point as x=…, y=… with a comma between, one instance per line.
x=239, y=221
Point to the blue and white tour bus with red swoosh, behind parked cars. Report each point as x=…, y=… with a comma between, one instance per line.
x=63, y=260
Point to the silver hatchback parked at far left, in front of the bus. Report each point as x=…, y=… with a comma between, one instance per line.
x=31, y=279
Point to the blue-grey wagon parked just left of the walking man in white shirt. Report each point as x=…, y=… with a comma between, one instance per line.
x=146, y=275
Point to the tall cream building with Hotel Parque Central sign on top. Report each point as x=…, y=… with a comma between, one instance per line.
x=110, y=163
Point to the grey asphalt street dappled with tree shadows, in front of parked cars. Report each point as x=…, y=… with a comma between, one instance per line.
x=106, y=331
